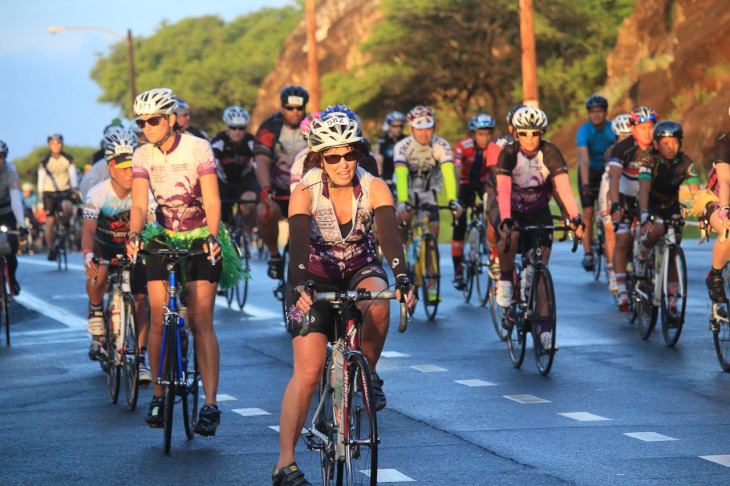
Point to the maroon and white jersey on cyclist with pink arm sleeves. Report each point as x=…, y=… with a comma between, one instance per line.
x=531, y=176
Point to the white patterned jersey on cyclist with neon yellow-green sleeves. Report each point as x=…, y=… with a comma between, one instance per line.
x=423, y=163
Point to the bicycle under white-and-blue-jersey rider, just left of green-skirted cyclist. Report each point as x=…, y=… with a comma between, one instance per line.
x=120, y=345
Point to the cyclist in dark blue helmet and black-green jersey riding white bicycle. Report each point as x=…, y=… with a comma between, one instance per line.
x=662, y=171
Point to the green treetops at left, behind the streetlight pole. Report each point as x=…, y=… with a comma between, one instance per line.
x=209, y=63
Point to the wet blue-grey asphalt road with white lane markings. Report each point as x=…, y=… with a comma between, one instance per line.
x=614, y=409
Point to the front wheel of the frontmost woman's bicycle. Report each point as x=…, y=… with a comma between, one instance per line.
x=361, y=428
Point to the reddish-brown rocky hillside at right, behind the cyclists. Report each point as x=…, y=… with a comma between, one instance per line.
x=674, y=56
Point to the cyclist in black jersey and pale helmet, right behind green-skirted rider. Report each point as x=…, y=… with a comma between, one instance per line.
x=233, y=151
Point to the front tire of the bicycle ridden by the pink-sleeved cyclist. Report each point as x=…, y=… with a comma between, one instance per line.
x=543, y=357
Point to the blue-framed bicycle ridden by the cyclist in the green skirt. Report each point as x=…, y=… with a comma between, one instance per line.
x=178, y=372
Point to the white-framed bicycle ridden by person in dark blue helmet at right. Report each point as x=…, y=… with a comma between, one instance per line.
x=652, y=290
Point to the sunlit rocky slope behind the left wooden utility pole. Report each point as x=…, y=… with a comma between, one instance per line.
x=341, y=26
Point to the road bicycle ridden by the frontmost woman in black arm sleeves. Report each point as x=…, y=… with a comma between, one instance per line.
x=344, y=427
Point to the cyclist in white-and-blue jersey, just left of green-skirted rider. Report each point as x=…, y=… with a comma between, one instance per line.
x=105, y=230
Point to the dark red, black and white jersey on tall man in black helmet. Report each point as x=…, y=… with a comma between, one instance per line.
x=280, y=143
